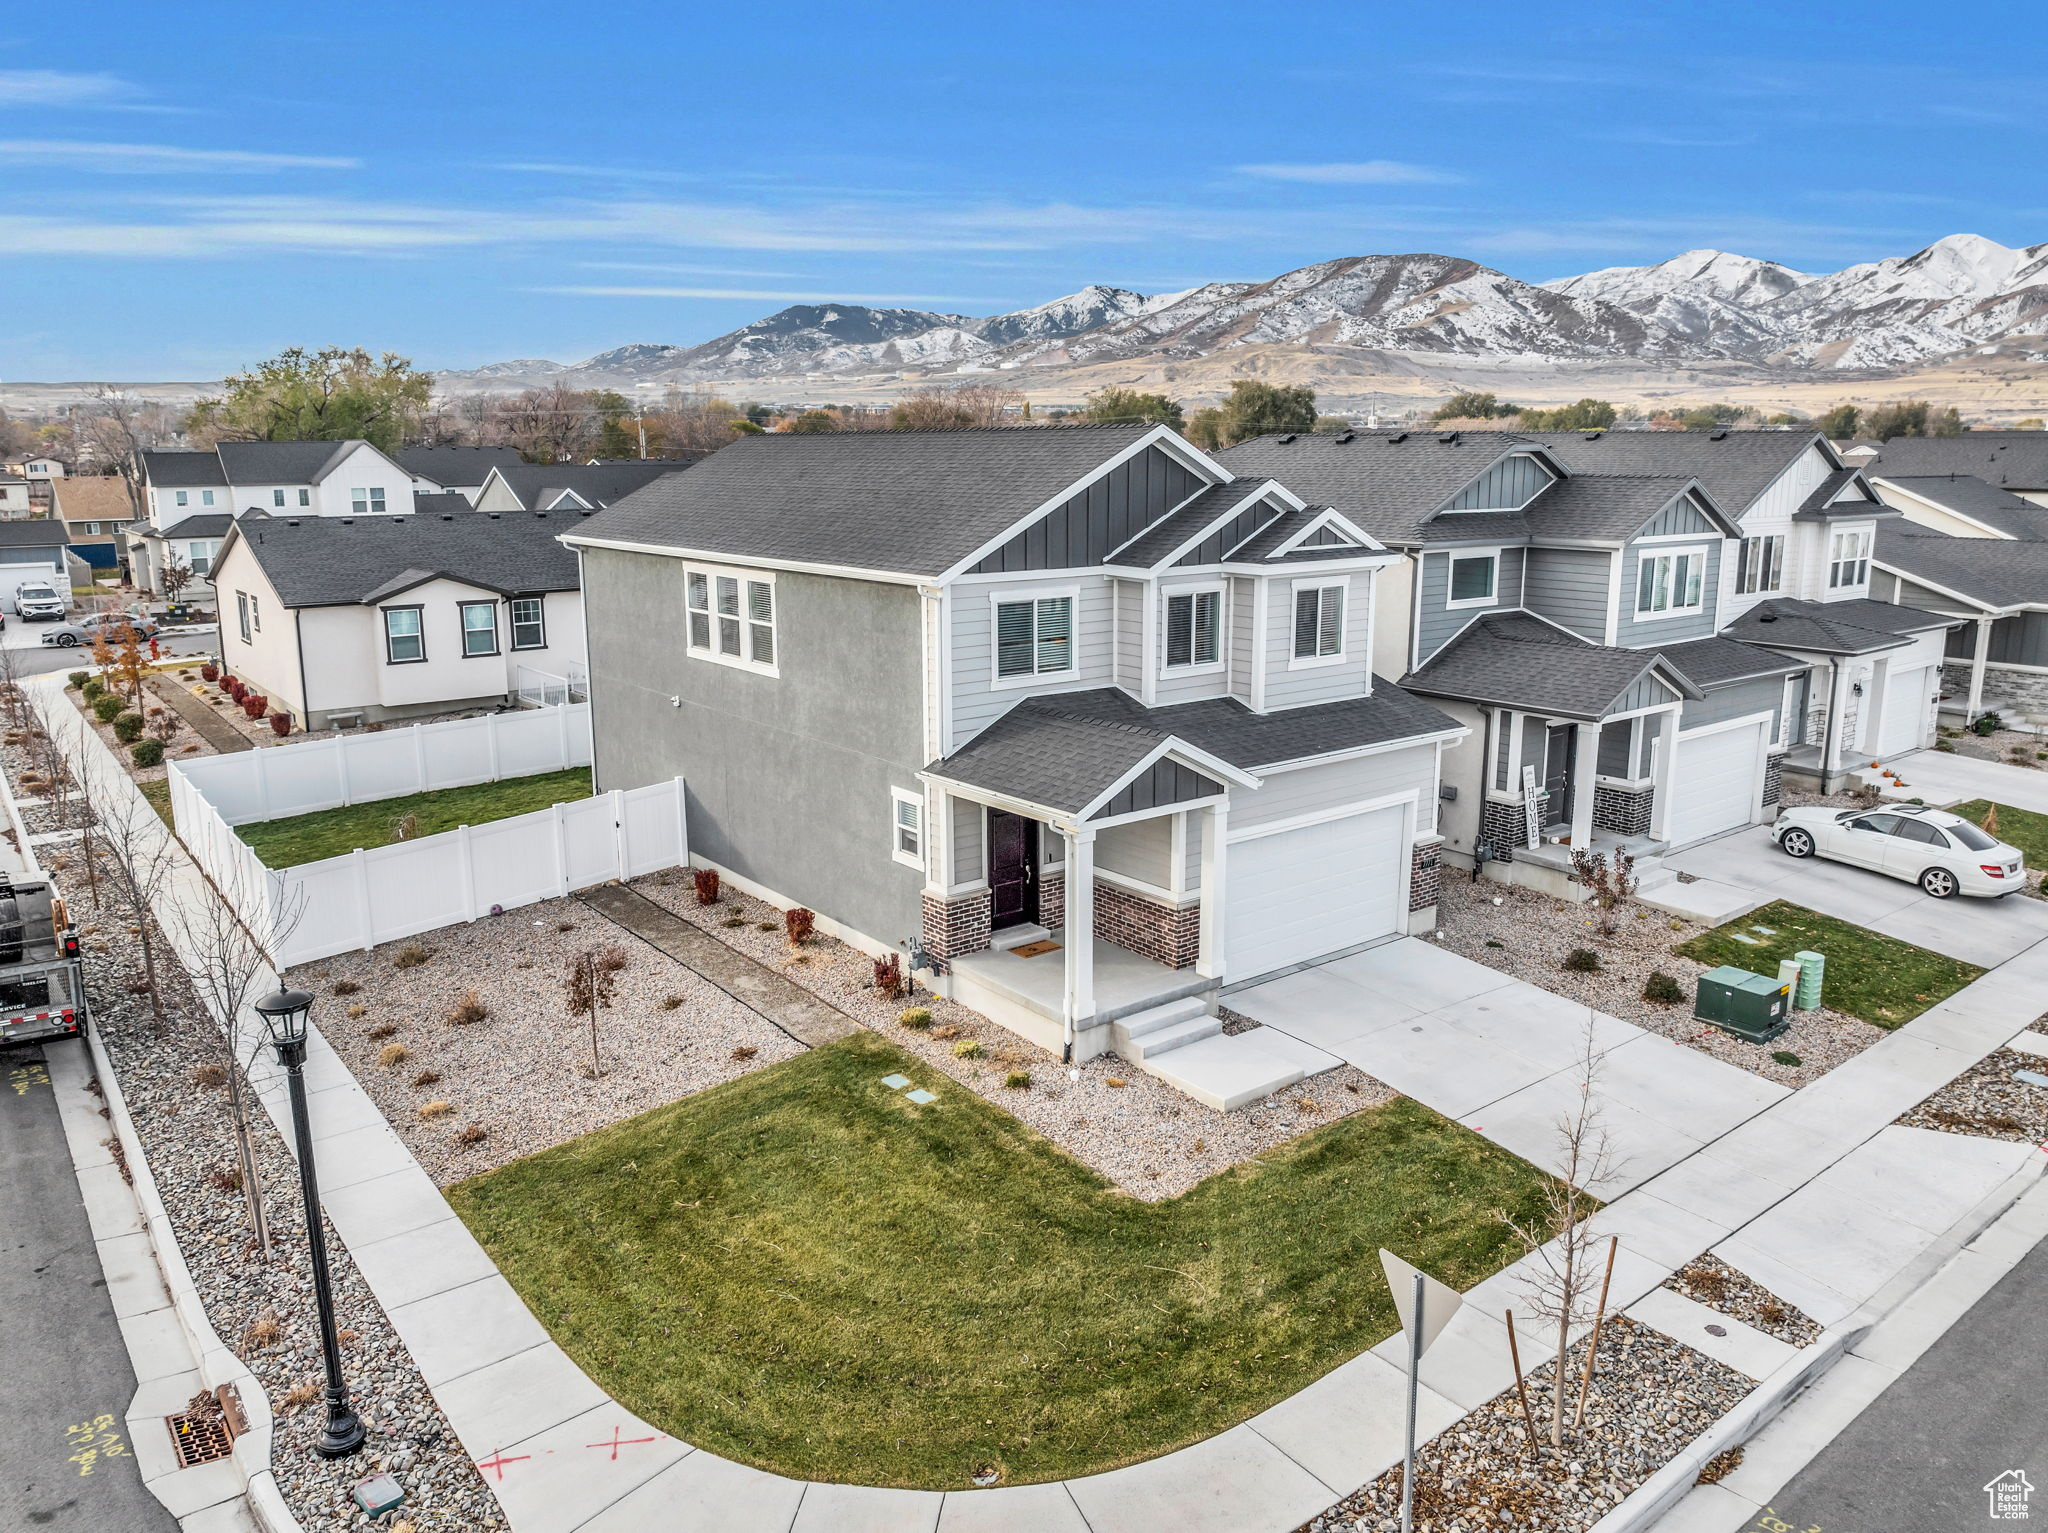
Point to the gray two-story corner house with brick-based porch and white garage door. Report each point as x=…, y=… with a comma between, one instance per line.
x=1078, y=715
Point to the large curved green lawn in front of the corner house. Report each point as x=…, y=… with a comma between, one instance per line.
x=806, y=1272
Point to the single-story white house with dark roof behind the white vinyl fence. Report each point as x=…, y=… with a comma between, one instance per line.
x=345, y=621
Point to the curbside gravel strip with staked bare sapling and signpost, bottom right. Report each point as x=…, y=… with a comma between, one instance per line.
x=1652, y=1397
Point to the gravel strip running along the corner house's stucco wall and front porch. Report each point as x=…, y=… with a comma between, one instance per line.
x=1132, y=1127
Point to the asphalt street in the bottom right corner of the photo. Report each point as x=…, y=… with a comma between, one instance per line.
x=1965, y=1417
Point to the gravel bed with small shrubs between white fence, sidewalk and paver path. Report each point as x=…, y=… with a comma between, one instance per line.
x=521, y=1071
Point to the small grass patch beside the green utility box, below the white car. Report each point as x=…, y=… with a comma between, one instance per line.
x=1879, y=979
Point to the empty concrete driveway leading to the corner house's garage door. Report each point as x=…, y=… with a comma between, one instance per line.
x=1502, y=1057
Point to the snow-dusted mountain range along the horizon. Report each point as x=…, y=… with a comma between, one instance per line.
x=1699, y=308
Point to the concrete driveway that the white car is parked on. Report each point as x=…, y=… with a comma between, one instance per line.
x=1975, y=930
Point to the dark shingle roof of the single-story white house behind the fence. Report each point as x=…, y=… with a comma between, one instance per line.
x=337, y=560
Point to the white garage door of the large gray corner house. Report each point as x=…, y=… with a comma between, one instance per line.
x=1308, y=893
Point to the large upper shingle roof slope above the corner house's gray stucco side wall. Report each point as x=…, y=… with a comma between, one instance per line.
x=898, y=502
